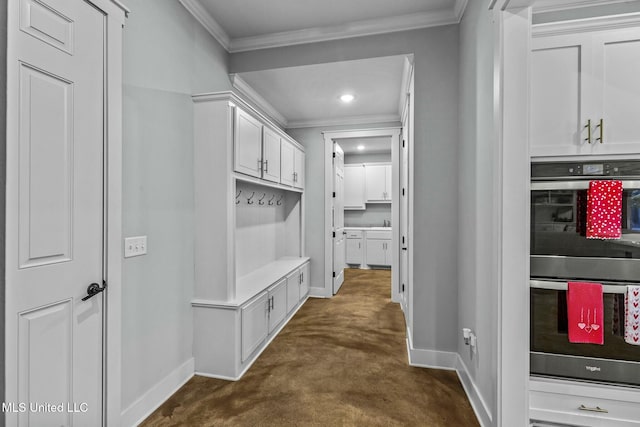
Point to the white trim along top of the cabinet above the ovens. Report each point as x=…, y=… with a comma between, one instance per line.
x=599, y=23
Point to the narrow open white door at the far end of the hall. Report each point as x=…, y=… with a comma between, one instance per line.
x=339, y=241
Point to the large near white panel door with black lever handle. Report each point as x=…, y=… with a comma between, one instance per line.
x=54, y=228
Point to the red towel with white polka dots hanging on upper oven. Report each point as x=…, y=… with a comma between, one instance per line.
x=604, y=210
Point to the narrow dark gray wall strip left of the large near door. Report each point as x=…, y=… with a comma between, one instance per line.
x=3, y=183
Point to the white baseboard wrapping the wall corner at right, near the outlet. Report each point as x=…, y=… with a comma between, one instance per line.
x=452, y=361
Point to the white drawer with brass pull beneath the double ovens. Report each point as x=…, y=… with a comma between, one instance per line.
x=582, y=410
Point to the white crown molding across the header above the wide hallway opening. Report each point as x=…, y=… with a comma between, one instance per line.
x=353, y=29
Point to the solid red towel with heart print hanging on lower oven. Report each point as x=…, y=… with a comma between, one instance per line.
x=584, y=313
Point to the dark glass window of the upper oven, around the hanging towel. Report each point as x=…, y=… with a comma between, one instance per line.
x=558, y=226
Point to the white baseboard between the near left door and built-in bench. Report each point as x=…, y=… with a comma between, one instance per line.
x=157, y=395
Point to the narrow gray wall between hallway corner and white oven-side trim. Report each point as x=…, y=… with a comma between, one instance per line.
x=476, y=262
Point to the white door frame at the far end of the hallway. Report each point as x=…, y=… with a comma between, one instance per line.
x=329, y=136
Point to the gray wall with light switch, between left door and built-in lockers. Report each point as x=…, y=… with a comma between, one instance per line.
x=167, y=58
